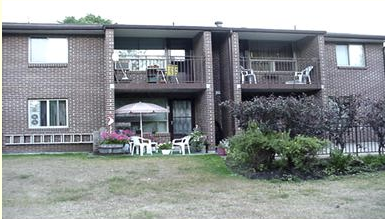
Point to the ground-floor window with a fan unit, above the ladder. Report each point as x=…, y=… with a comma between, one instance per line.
x=47, y=113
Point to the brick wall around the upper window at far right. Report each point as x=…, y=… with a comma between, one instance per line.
x=368, y=81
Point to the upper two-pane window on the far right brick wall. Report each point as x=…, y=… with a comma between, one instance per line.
x=350, y=55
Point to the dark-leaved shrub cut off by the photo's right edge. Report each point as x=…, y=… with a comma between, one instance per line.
x=374, y=115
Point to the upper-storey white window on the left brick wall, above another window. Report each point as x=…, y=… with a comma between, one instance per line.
x=48, y=50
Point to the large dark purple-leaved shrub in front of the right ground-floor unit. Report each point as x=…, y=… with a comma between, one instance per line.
x=297, y=115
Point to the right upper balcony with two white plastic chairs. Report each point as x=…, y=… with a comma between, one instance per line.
x=279, y=75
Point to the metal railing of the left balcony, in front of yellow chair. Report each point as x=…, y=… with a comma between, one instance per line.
x=160, y=69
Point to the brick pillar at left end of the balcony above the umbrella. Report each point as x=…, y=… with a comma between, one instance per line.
x=109, y=75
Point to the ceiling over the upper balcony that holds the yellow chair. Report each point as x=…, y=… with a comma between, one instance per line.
x=156, y=33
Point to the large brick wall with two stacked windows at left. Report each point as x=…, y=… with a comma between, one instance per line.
x=80, y=82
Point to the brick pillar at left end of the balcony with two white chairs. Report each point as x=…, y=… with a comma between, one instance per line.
x=236, y=74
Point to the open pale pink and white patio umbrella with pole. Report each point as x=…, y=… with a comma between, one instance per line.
x=141, y=108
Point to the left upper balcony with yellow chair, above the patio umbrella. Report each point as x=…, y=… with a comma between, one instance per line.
x=159, y=74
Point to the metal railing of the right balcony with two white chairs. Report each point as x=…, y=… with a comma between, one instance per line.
x=280, y=71
